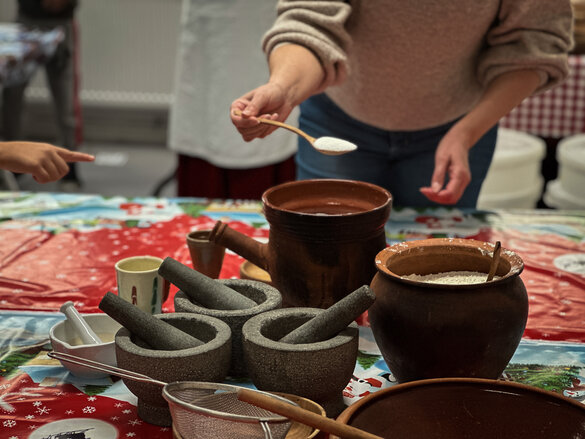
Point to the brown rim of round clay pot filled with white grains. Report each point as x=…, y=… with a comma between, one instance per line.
x=483, y=247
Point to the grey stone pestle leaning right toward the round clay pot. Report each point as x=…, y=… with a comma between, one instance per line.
x=334, y=319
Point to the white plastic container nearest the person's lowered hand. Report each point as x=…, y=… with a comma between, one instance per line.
x=514, y=179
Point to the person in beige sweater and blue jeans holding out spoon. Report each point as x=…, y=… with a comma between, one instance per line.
x=419, y=86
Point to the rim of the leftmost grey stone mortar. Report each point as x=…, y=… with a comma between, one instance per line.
x=123, y=338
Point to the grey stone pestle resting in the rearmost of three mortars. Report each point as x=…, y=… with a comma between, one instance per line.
x=202, y=289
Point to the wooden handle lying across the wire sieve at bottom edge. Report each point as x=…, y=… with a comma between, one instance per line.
x=303, y=416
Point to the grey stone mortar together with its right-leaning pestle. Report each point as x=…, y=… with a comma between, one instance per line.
x=309, y=352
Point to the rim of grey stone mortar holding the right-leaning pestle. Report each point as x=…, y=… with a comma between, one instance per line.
x=254, y=325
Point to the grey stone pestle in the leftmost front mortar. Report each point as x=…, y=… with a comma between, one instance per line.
x=153, y=331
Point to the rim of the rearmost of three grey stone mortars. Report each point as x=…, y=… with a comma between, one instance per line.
x=273, y=299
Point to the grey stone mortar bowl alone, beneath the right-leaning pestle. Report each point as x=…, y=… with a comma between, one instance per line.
x=318, y=371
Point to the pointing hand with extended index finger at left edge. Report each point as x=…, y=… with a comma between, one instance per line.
x=43, y=161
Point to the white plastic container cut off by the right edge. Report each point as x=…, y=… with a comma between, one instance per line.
x=568, y=190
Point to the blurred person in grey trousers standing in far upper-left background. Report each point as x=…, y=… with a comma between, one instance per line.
x=62, y=78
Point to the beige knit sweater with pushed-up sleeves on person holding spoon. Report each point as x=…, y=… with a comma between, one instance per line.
x=415, y=64
